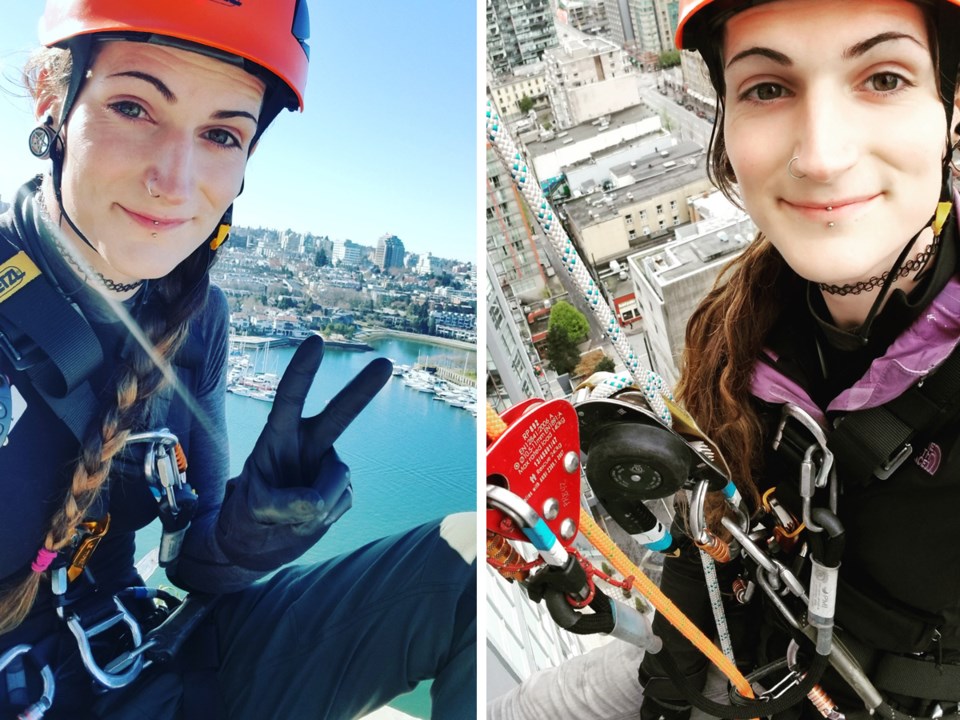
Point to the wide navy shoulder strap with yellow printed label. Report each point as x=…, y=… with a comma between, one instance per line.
x=43, y=335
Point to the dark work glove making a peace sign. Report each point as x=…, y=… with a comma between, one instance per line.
x=293, y=486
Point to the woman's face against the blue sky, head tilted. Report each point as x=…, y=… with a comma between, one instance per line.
x=176, y=121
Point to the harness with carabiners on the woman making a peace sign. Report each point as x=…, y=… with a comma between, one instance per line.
x=48, y=342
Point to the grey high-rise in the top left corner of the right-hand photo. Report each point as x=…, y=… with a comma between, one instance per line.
x=518, y=31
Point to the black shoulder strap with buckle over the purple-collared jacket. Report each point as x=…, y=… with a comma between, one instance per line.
x=871, y=444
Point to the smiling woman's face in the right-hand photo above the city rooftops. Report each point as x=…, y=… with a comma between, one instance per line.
x=849, y=89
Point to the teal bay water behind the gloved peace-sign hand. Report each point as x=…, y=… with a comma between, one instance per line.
x=412, y=458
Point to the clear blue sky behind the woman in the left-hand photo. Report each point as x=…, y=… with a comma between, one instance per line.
x=387, y=143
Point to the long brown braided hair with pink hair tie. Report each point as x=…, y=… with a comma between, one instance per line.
x=165, y=320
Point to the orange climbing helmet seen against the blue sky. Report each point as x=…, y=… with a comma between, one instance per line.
x=271, y=34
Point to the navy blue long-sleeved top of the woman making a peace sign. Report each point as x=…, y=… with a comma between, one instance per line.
x=40, y=453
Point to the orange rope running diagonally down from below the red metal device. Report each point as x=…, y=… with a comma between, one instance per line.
x=590, y=530
